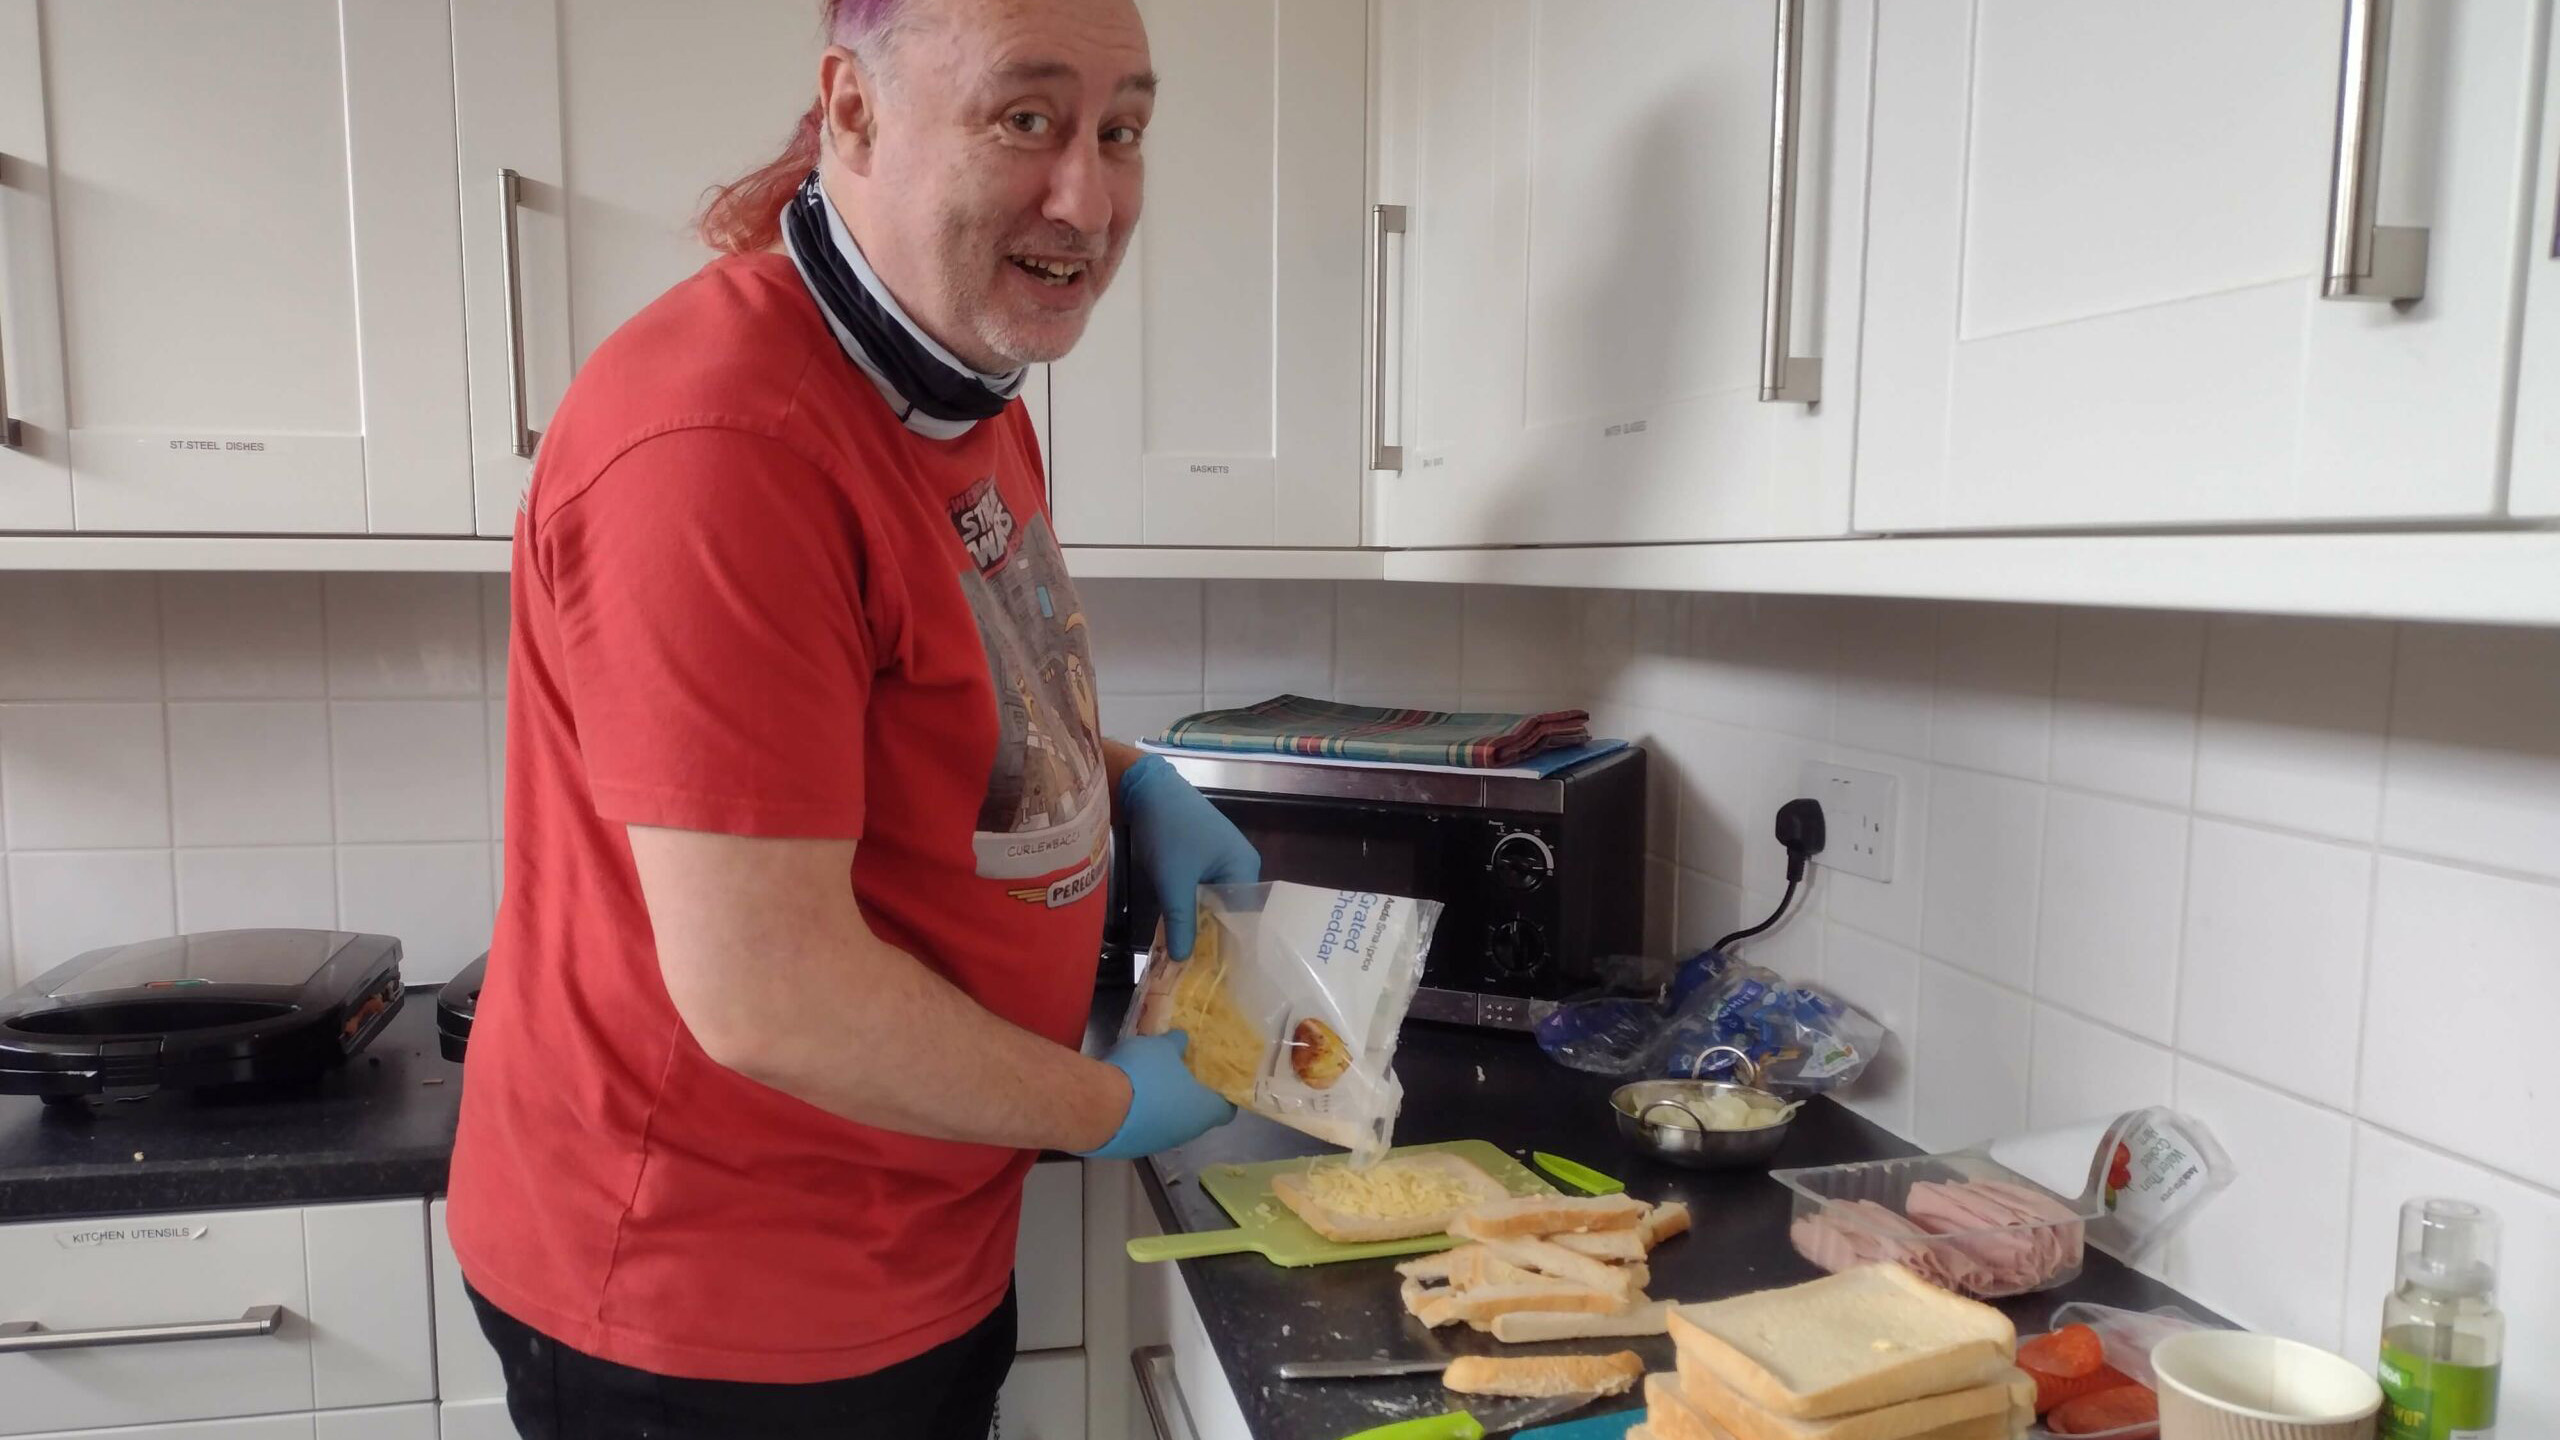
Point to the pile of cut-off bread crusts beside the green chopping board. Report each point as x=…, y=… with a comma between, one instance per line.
x=1548, y=1270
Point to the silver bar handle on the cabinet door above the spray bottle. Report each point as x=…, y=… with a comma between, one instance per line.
x=2367, y=260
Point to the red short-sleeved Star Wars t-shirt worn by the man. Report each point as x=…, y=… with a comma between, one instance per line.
x=749, y=601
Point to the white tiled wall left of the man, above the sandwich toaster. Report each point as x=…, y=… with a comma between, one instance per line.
x=198, y=752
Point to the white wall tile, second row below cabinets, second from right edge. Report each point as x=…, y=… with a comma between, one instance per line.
x=2272, y=985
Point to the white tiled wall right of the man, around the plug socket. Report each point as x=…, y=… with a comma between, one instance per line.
x=2298, y=878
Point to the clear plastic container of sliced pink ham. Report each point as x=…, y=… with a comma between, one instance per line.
x=1862, y=1213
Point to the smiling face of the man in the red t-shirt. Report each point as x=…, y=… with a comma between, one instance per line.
x=989, y=165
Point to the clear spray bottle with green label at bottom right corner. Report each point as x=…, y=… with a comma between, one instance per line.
x=2444, y=1329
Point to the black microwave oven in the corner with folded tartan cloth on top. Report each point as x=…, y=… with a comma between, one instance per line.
x=1540, y=878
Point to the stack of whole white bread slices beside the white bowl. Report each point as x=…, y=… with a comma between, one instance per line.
x=1870, y=1354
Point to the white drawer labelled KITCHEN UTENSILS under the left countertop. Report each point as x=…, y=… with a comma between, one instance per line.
x=352, y=1282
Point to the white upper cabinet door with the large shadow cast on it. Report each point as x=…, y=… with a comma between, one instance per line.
x=1586, y=268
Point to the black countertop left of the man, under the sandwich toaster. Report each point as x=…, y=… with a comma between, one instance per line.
x=380, y=1126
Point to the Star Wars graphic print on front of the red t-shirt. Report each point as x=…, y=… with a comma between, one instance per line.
x=1048, y=806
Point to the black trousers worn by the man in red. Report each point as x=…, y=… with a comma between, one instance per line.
x=564, y=1395
